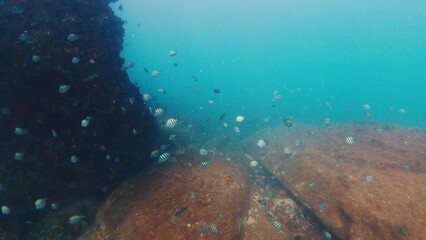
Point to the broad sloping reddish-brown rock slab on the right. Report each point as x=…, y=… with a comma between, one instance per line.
x=330, y=176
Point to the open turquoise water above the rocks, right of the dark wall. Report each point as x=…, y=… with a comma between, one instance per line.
x=326, y=59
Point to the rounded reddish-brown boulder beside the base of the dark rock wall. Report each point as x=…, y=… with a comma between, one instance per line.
x=145, y=206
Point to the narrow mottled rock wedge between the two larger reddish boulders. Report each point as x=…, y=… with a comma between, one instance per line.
x=269, y=202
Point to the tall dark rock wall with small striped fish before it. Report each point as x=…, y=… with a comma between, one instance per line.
x=35, y=60
